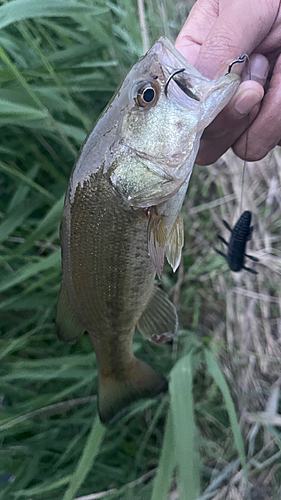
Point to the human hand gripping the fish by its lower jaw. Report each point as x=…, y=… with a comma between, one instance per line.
x=216, y=33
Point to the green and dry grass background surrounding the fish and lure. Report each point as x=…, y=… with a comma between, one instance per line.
x=60, y=63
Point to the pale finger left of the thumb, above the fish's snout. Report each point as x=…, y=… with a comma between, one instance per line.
x=196, y=28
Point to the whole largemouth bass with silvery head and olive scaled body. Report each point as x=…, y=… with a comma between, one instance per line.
x=122, y=217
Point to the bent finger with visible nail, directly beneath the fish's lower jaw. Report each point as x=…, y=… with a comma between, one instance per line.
x=231, y=123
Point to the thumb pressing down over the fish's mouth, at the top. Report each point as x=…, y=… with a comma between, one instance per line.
x=240, y=27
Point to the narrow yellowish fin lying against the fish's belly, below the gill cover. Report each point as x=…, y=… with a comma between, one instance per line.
x=157, y=238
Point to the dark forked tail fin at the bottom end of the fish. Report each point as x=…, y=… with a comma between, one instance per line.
x=139, y=381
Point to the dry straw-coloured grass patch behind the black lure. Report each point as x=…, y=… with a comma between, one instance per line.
x=243, y=311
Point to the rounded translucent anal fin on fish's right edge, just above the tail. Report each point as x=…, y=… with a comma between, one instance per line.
x=159, y=321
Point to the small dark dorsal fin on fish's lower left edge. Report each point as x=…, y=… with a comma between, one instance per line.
x=68, y=329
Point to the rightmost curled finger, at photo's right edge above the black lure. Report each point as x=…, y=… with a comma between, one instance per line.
x=265, y=132
